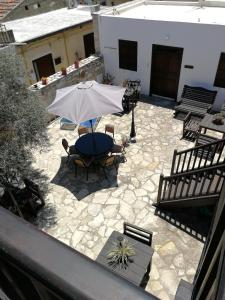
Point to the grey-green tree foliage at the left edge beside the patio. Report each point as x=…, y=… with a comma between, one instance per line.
x=22, y=120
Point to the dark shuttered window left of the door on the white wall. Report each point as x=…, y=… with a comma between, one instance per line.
x=128, y=55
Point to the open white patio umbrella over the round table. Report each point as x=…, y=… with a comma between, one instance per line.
x=86, y=101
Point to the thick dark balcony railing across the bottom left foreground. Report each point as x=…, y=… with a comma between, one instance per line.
x=34, y=265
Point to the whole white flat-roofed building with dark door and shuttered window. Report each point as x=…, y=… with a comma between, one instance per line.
x=165, y=46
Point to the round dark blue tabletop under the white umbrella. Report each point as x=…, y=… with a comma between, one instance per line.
x=94, y=144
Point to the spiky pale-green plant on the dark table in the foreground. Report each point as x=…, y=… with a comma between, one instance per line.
x=121, y=253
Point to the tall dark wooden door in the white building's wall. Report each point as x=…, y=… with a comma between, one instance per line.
x=165, y=70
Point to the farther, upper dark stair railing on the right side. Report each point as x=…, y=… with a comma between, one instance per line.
x=198, y=157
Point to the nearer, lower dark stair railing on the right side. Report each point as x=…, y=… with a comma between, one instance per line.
x=205, y=182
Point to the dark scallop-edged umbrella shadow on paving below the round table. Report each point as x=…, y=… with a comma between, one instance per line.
x=78, y=185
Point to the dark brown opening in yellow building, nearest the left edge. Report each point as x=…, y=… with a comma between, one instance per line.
x=44, y=66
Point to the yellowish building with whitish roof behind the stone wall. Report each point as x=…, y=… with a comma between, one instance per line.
x=53, y=41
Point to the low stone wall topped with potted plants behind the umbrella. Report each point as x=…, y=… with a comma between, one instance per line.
x=91, y=68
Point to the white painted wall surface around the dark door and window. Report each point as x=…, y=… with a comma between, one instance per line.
x=202, y=45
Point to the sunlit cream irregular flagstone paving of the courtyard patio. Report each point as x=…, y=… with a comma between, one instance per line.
x=83, y=214
